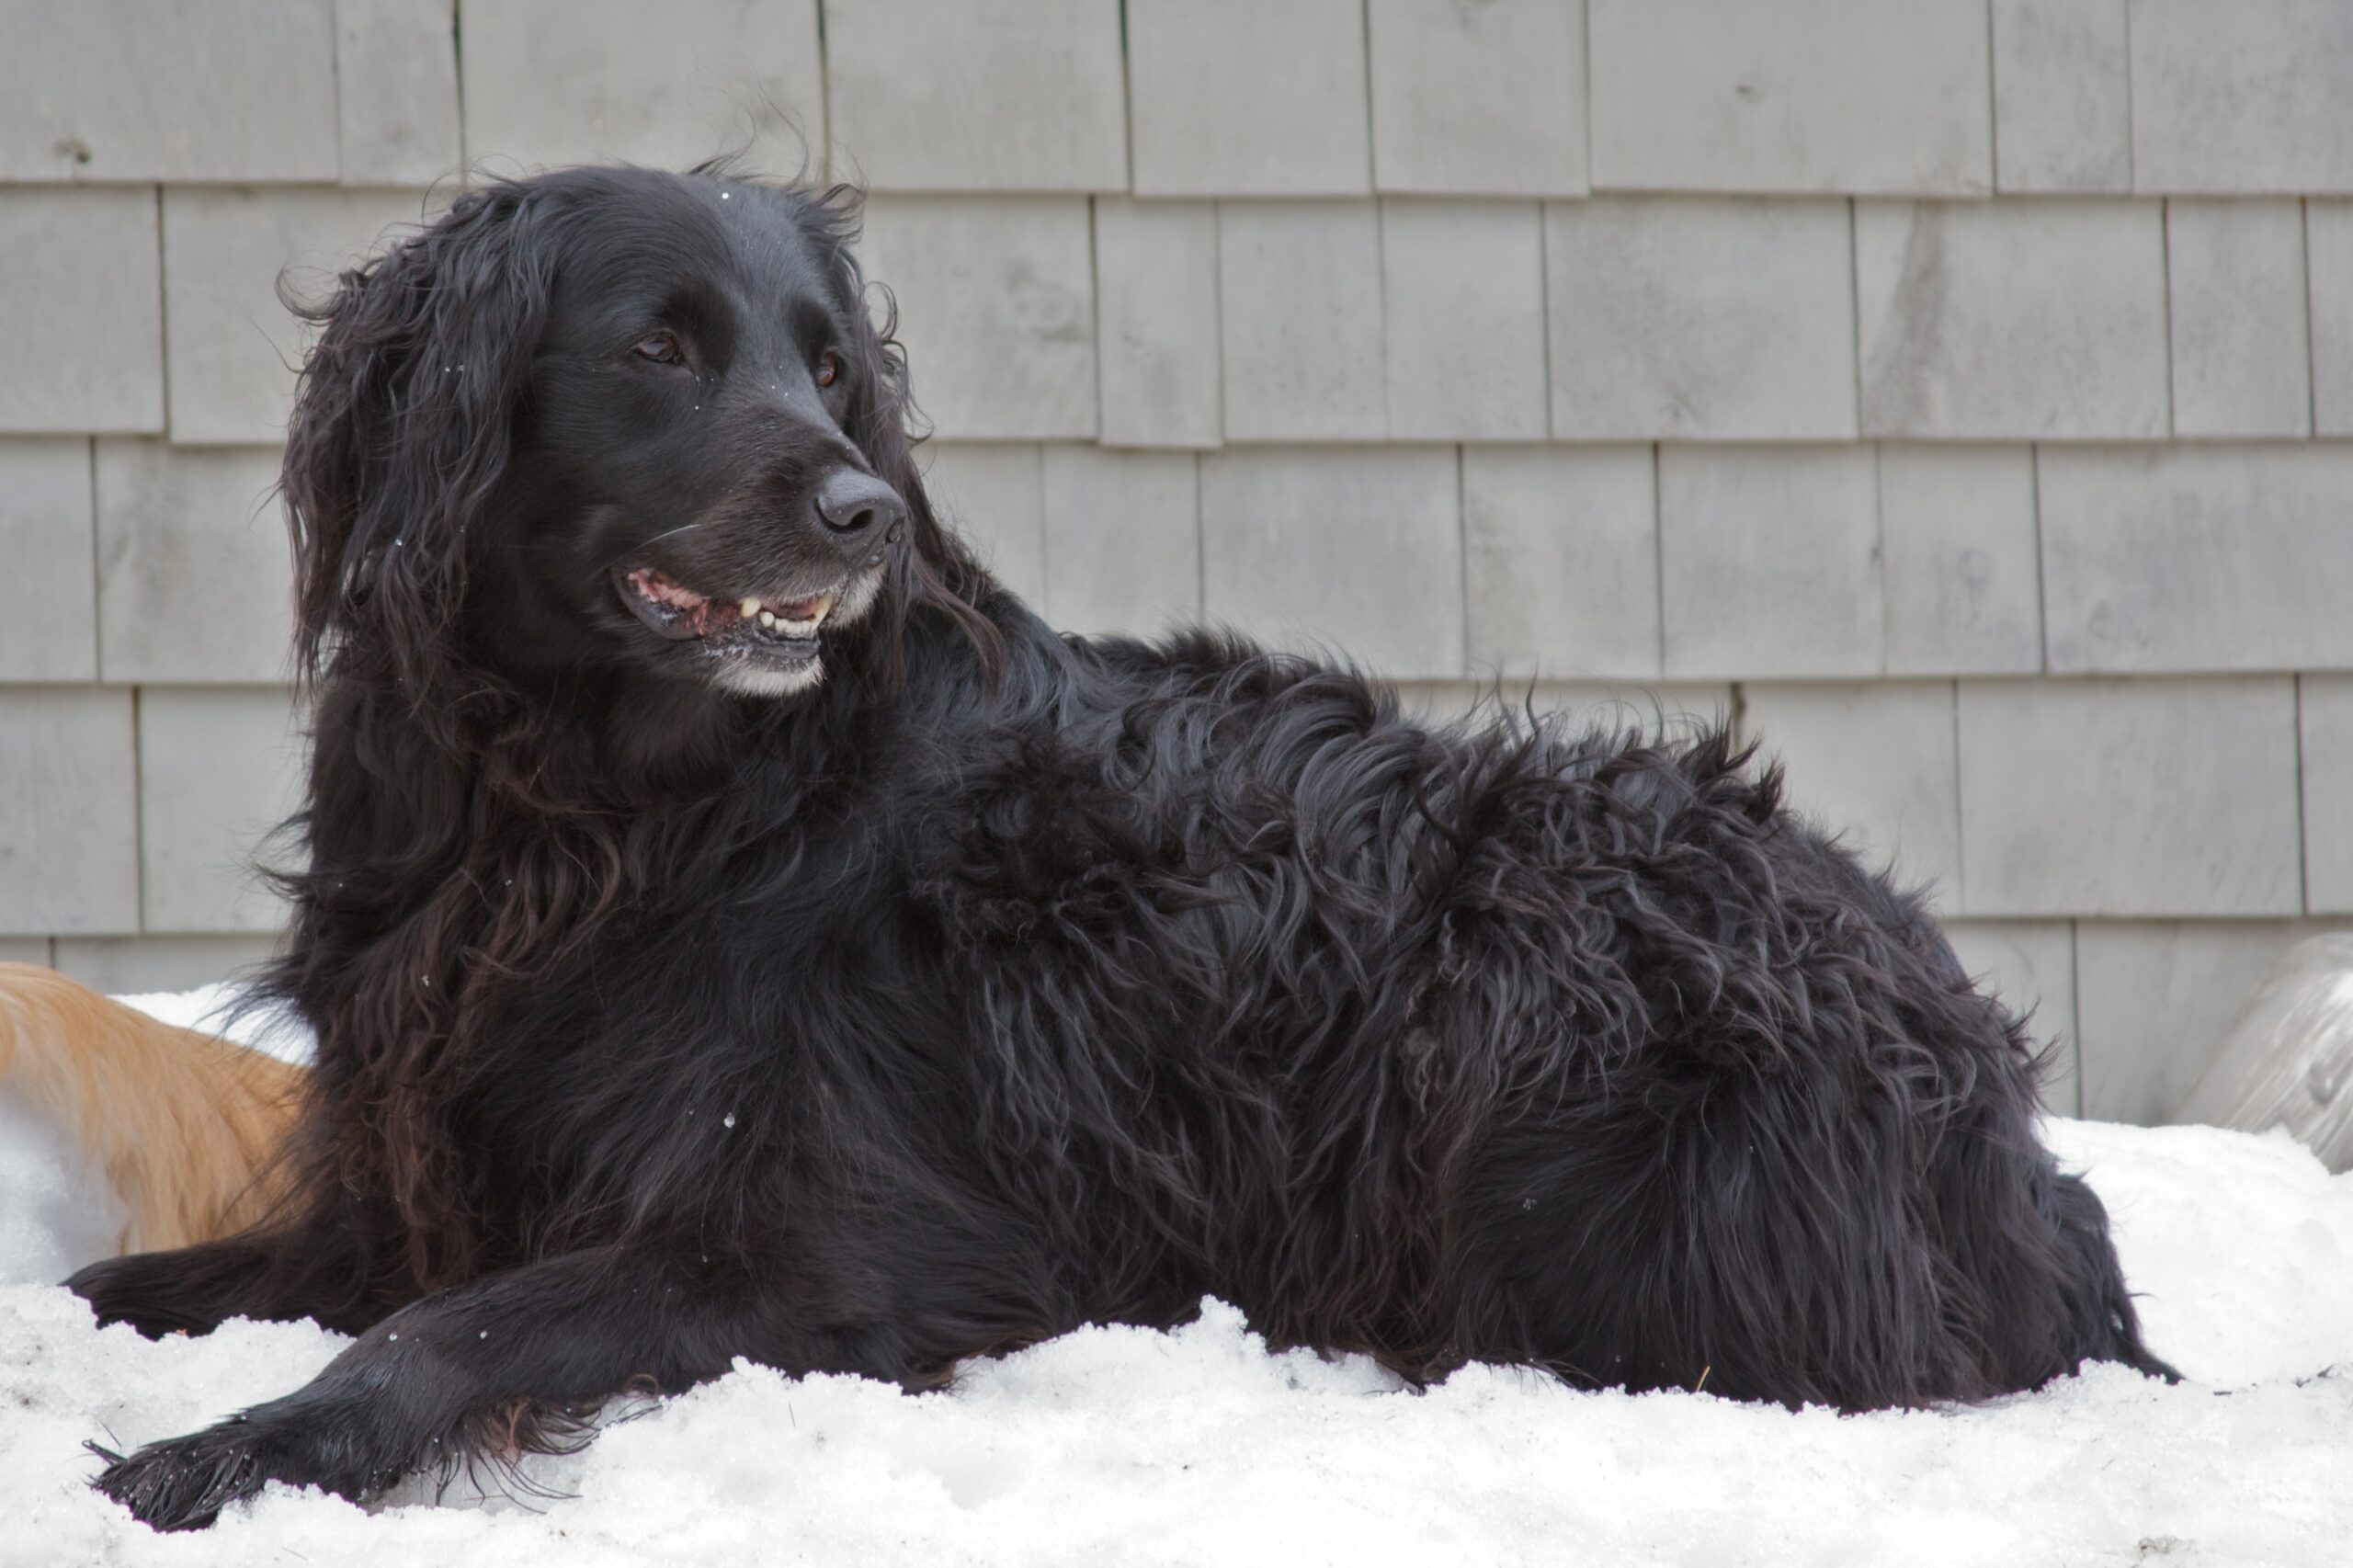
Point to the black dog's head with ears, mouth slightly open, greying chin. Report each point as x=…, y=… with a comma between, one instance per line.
x=615, y=420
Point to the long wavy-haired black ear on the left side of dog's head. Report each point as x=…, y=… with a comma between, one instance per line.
x=404, y=423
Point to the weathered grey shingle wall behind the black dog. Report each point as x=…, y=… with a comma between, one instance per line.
x=1954, y=392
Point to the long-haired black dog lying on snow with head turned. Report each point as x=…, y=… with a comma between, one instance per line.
x=738, y=929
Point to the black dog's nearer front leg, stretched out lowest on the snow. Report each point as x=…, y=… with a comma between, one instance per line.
x=479, y=1369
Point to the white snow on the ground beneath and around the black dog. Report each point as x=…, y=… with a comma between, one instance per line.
x=1197, y=1447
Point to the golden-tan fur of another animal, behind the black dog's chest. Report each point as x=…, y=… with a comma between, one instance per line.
x=182, y=1122
